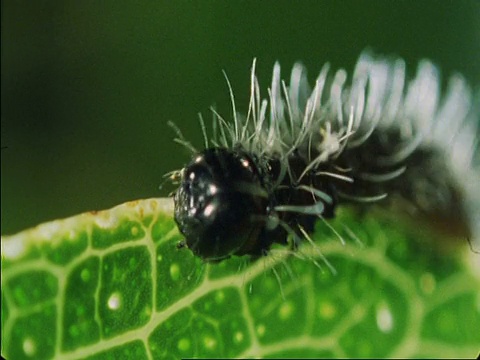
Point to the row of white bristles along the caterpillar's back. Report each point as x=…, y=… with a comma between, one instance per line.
x=376, y=96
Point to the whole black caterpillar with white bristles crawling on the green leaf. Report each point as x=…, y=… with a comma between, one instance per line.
x=297, y=155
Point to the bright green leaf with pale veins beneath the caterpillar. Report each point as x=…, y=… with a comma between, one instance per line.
x=113, y=285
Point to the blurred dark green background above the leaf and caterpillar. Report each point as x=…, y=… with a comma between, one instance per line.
x=88, y=86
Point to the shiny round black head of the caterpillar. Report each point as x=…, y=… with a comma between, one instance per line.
x=220, y=204
